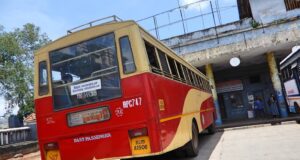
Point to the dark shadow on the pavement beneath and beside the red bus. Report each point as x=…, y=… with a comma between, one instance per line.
x=207, y=146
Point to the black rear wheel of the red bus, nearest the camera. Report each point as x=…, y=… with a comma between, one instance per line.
x=192, y=147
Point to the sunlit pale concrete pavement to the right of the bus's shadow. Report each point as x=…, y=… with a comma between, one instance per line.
x=279, y=142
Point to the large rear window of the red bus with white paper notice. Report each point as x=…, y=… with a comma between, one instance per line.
x=85, y=73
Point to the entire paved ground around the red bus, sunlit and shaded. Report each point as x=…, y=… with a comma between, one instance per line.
x=262, y=142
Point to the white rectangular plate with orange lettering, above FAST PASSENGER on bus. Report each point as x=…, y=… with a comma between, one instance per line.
x=88, y=116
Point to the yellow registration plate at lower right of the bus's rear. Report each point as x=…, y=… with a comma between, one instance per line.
x=140, y=145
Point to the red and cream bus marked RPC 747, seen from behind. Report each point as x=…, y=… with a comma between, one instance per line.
x=113, y=91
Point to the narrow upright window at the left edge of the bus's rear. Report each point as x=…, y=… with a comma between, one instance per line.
x=43, y=78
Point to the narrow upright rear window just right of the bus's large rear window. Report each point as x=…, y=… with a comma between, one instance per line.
x=127, y=57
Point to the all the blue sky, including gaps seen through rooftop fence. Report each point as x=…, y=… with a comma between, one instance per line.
x=55, y=17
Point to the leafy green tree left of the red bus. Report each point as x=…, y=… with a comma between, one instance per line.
x=16, y=65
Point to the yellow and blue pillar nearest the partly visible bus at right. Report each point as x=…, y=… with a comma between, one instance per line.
x=276, y=83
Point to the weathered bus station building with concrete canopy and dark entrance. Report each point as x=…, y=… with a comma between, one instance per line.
x=264, y=35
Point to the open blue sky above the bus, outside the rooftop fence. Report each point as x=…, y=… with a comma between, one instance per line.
x=55, y=17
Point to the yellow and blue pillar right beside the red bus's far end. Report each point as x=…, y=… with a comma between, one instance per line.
x=210, y=75
